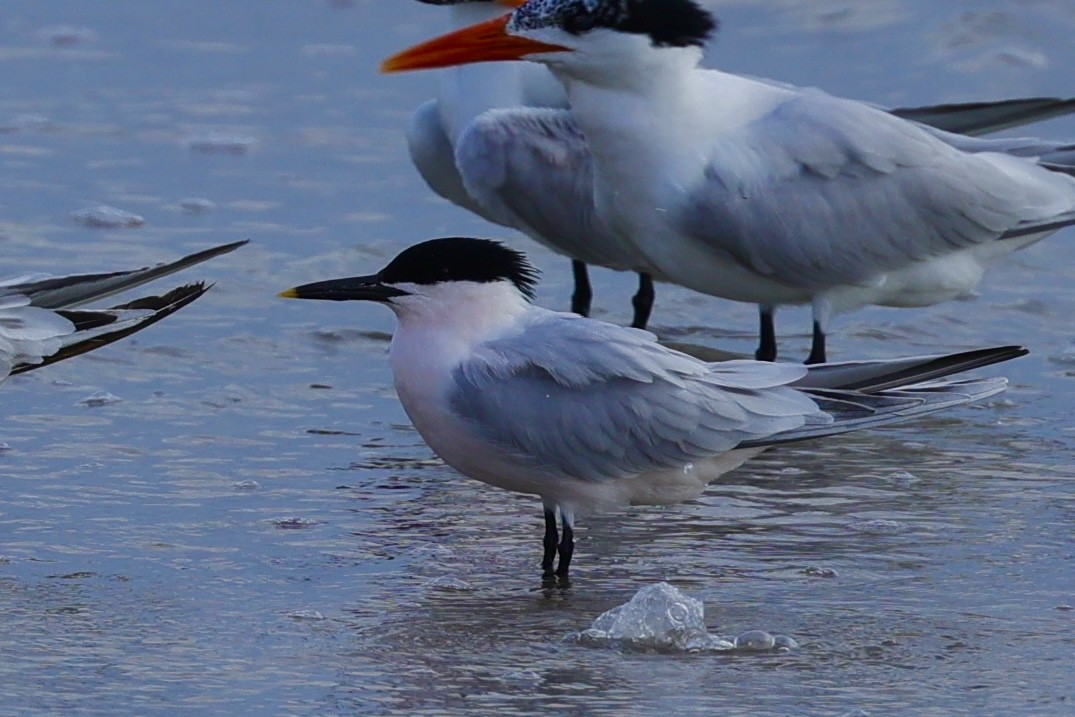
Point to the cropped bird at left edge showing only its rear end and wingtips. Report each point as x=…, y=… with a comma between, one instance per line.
x=41, y=322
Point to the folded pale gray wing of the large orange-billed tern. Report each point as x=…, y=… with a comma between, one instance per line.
x=824, y=192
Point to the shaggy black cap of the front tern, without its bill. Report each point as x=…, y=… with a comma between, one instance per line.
x=462, y=260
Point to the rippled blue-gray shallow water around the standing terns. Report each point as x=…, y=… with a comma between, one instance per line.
x=253, y=527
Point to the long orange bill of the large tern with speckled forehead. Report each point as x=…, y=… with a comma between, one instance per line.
x=485, y=42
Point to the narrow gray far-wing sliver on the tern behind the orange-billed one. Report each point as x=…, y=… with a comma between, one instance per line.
x=434, y=156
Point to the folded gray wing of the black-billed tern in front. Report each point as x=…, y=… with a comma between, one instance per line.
x=599, y=403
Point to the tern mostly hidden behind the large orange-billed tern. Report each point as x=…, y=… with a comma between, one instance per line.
x=499, y=141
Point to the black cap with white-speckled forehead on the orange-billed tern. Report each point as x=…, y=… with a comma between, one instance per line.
x=668, y=23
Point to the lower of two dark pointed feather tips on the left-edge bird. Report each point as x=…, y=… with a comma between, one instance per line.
x=97, y=328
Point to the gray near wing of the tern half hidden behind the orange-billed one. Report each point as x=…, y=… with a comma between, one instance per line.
x=533, y=169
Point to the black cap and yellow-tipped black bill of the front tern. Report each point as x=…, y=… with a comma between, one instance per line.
x=436, y=262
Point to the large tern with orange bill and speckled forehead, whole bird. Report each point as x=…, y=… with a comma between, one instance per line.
x=766, y=193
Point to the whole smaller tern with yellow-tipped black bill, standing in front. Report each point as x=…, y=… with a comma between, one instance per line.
x=590, y=415
